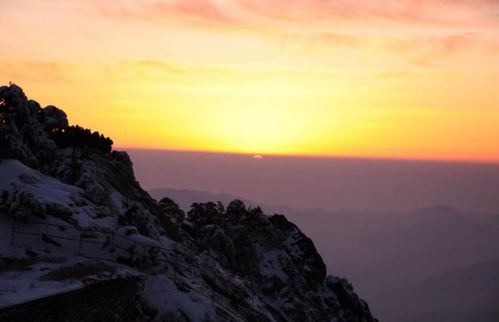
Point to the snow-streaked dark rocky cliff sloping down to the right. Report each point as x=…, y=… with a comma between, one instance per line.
x=236, y=259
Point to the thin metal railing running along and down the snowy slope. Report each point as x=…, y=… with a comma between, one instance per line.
x=108, y=245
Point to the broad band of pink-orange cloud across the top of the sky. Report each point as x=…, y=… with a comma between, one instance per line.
x=422, y=31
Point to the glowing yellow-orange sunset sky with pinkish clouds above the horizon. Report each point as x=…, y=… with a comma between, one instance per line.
x=391, y=79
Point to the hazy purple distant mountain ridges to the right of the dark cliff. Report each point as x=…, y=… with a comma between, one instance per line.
x=435, y=246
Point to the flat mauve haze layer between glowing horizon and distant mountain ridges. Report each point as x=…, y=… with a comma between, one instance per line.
x=331, y=184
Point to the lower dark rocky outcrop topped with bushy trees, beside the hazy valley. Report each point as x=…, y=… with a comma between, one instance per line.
x=279, y=261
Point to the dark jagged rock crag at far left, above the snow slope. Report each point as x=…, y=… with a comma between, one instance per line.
x=33, y=135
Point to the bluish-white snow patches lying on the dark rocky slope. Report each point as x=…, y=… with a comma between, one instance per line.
x=161, y=290
